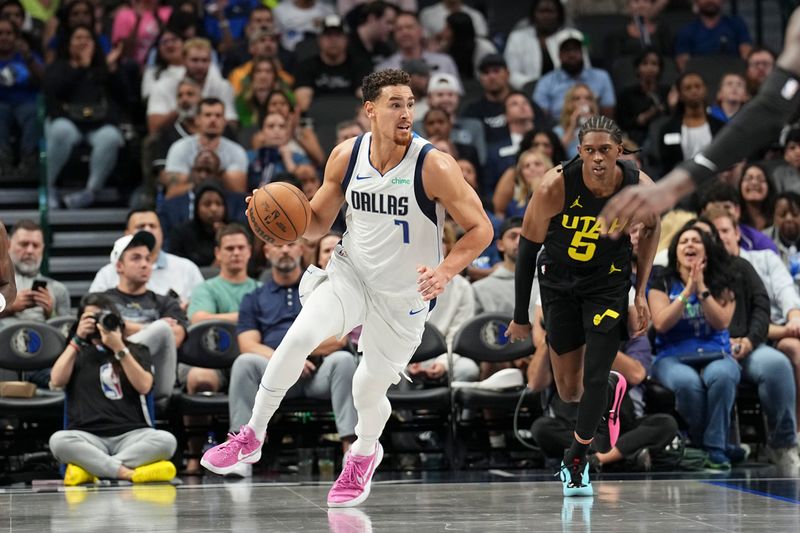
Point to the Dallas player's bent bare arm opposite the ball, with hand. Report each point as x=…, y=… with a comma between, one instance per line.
x=444, y=183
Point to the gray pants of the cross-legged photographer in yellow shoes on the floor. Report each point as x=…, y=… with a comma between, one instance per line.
x=102, y=456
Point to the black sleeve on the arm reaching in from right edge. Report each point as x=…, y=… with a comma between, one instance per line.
x=756, y=125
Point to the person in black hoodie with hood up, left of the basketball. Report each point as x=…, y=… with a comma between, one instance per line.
x=195, y=239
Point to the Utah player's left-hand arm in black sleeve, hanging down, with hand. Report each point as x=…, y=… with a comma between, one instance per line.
x=547, y=201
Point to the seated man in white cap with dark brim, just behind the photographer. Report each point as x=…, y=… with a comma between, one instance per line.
x=151, y=319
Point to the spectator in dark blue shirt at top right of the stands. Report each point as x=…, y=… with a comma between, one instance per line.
x=712, y=33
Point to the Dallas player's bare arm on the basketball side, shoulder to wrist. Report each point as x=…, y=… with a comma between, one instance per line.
x=329, y=198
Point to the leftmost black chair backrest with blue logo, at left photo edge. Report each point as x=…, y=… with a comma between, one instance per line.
x=30, y=345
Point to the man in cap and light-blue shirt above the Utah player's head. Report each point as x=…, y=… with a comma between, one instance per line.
x=551, y=88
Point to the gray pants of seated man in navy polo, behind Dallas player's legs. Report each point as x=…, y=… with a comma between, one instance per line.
x=333, y=380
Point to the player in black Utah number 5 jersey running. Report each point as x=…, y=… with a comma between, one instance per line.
x=584, y=283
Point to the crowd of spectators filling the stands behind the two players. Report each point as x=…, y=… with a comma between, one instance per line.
x=215, y=99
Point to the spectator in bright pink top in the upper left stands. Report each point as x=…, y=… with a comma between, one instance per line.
x=137, y=26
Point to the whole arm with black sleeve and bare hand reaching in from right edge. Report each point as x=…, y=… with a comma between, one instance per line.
x=756, y=125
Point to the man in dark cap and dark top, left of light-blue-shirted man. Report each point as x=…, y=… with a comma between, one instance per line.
x=490, y=108
